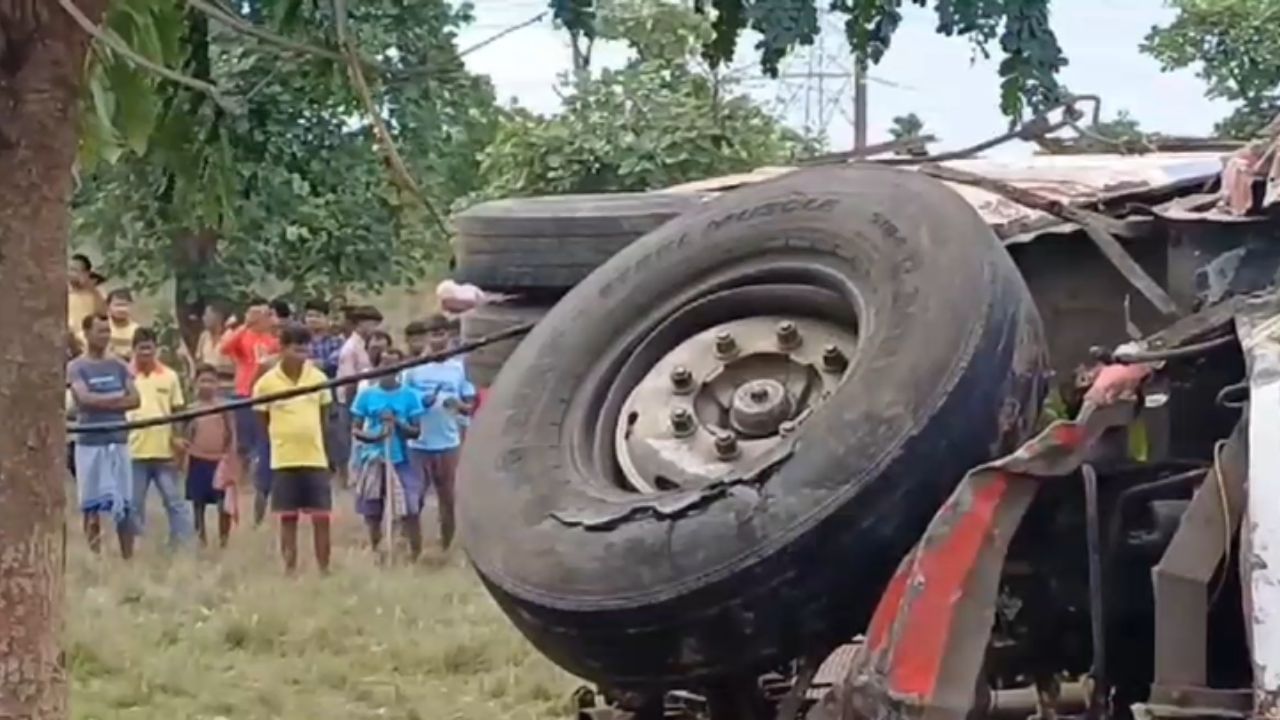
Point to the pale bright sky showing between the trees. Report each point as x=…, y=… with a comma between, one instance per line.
x=926, y=74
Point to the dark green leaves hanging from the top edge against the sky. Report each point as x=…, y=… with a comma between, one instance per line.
x=1032, y=56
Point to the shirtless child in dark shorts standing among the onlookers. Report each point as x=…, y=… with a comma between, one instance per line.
x=211, y=445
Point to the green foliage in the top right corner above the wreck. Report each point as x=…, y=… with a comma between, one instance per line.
x=1236, y=49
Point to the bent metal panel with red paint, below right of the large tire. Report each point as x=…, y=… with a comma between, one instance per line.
x=926, y=642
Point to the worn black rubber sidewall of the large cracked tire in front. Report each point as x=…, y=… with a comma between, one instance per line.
x=927, y=286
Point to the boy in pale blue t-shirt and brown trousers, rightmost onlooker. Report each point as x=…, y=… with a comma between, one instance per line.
x=447, y=397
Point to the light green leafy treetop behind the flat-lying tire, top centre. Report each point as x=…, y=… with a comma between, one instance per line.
x=655, y=124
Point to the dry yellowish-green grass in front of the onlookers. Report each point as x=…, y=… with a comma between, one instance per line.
x=225, y=636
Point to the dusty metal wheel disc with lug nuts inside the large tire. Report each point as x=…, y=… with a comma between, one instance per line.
x=723, y=402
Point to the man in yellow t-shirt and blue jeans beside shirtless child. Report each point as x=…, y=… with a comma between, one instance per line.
x=152, y=450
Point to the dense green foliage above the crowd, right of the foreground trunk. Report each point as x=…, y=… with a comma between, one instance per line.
x=290, y=186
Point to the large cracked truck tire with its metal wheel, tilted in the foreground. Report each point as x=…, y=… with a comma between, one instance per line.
x=784, y=552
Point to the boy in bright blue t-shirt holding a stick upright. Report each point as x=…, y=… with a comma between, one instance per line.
x=385, y=416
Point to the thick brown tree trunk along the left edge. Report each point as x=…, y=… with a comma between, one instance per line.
x=42, y=63
